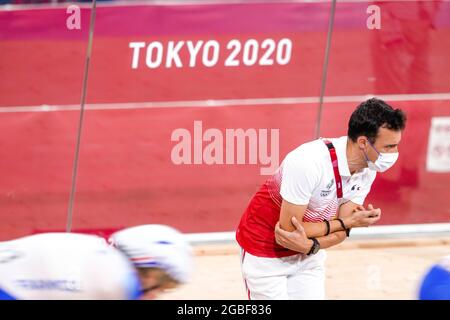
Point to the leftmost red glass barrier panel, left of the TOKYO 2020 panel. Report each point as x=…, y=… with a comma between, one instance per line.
x=42, y=57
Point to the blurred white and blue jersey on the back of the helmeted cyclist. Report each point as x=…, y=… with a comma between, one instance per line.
x=65, y=266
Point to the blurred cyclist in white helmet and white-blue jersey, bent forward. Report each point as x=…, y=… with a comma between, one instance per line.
x=77, y=266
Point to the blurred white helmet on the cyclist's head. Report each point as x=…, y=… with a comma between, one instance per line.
x=156, y=246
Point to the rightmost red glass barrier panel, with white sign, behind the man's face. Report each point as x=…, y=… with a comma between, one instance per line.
x=398, y=51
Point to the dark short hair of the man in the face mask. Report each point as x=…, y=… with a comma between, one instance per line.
x=370, y=116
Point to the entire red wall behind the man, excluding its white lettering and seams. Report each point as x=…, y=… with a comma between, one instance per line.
x=126, y=175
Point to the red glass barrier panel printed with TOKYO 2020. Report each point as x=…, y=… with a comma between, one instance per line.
x=192, y=106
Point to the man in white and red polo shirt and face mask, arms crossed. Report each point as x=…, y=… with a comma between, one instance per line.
x=312, y=202
